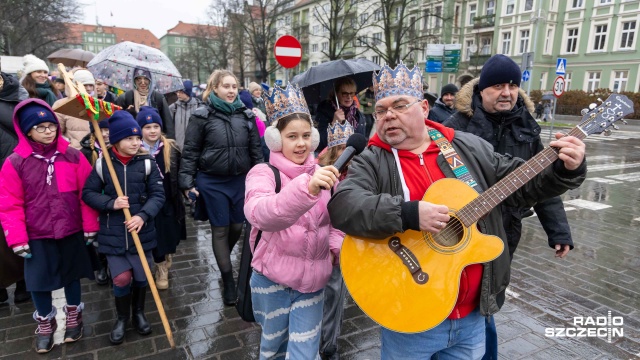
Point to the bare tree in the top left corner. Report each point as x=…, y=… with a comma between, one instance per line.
x=35, y=26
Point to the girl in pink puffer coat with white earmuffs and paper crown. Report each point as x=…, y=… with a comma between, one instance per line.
x=298, y=246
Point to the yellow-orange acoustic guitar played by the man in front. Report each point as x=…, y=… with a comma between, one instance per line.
x=409, y=281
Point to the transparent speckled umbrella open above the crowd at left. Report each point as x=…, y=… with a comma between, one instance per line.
x=116, y=65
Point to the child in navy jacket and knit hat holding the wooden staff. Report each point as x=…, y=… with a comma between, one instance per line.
x=144, y=196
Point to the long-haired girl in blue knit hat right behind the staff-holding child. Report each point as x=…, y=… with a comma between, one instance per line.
x=170, y=225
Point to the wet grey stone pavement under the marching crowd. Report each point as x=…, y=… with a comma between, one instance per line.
x=601, y=275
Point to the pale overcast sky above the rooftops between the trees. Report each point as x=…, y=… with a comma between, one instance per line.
x=155, y=15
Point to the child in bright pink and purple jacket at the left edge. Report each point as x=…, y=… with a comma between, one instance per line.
x=44, y=219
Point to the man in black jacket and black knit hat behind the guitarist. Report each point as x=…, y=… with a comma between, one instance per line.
x=494, y=108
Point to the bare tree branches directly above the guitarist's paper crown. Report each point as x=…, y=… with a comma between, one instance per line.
x=396, y=25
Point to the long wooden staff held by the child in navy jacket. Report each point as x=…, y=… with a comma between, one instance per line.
x=127, y=213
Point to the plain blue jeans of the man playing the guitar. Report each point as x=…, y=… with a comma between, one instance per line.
x=462, y=339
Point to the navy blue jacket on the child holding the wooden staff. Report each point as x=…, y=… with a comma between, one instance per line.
x=146, y=197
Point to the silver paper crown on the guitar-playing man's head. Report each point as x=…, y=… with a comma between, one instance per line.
x=398, y=81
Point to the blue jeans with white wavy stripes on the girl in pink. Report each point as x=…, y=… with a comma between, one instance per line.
x=290, y=319
